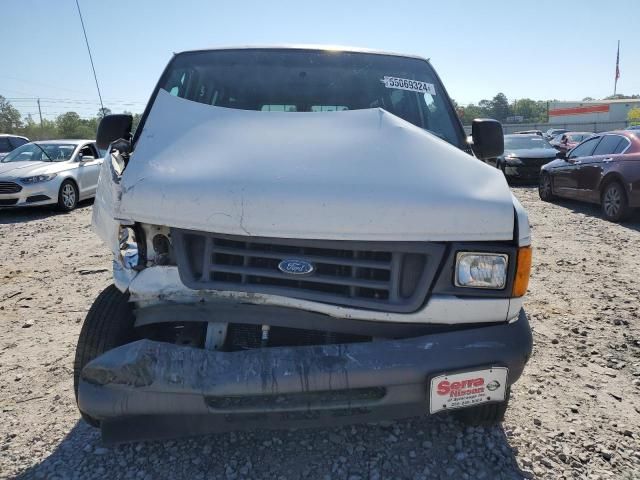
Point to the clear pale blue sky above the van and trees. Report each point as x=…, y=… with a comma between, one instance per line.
x=546, y=49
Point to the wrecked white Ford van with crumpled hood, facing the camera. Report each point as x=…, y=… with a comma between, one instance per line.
x=301, y=236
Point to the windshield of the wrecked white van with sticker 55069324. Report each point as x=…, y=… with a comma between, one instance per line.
x=315, y=81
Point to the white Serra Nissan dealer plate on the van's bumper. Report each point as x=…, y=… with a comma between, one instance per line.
x=466, y=389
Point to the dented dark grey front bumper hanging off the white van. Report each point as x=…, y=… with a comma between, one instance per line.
x=149, y=389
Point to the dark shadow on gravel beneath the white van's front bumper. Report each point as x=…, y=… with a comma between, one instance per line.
x=423, y=448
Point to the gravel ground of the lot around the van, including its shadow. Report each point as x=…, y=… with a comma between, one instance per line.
x=574, y=414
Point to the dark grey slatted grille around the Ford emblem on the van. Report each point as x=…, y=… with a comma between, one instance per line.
x=389, y=276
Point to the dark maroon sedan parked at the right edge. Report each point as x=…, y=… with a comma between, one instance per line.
x=604, y=169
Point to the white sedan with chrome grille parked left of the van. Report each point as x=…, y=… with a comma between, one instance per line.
x=60, y=172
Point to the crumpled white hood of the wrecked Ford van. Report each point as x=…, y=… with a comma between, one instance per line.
x=357, y=175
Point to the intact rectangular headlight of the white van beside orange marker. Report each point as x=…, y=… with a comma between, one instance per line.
x=481, y=270
